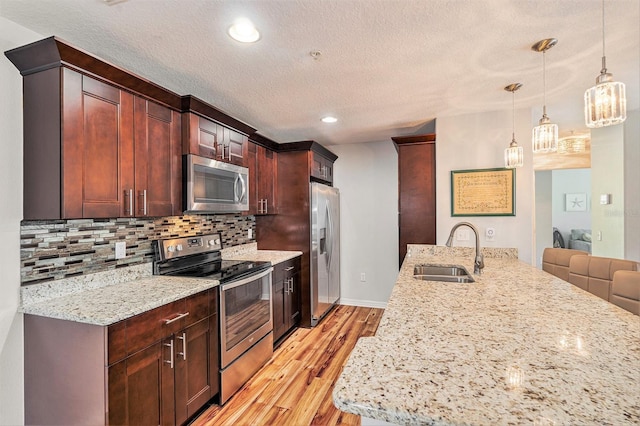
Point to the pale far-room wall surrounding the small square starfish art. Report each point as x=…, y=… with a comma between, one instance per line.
x=571, y=181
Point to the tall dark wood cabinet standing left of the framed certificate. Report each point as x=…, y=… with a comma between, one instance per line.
x=416, y=190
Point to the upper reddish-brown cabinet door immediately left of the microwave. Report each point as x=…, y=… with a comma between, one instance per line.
x=158, y=162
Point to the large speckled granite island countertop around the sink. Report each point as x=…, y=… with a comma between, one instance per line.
x=518, y=346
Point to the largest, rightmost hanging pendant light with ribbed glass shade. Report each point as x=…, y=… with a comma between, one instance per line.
x=605, y=104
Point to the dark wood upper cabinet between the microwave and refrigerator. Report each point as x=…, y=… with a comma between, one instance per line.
x=263, y=175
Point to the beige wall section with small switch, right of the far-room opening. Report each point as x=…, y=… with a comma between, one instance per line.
x=607, y=177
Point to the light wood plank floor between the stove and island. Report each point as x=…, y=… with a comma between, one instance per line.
x=295, y=387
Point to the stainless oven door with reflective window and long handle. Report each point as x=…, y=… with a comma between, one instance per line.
x=245, y=314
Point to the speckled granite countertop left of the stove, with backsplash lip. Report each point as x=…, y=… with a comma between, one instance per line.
x=105, y=298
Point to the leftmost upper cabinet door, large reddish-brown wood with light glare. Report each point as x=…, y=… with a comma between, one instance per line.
x=97, y=148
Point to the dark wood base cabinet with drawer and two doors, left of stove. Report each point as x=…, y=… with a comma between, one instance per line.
x=159, y=367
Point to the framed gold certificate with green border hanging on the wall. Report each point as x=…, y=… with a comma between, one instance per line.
x=483, y=192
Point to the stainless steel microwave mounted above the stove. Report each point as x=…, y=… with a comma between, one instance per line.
x=211, y=186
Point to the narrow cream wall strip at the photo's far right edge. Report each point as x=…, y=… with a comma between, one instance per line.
x=632, y=185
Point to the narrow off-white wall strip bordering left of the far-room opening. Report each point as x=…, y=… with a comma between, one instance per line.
x=544, y=216
